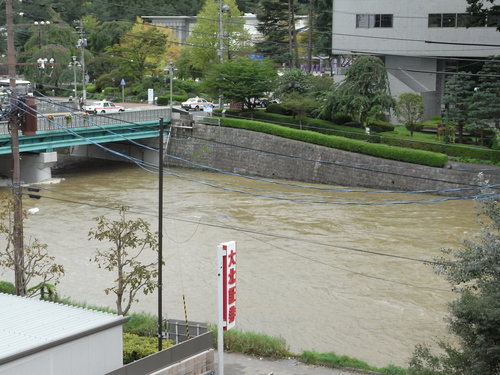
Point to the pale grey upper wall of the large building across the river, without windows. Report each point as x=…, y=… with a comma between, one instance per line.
x=410, y=29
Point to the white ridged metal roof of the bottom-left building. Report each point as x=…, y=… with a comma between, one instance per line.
x=26, y=324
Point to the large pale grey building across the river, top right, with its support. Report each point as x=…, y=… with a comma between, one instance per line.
x=416, y=39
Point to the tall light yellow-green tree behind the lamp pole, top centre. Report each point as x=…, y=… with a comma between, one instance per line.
x=202, y=44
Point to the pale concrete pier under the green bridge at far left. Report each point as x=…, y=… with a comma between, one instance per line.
x=34, y=167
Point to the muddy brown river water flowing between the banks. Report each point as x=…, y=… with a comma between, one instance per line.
x=307, y=272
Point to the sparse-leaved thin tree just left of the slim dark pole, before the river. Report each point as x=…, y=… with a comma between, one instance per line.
x=128, y=240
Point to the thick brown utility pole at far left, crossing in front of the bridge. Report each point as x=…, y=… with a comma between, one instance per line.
x=16, y=160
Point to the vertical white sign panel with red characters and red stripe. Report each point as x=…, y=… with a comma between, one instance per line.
x=227, y=254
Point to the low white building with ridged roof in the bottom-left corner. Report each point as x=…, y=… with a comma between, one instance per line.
x=40, y=337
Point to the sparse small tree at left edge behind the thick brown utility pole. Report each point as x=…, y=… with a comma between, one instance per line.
x=36, y=265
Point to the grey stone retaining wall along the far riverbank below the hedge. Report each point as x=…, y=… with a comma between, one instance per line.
x=252, y=153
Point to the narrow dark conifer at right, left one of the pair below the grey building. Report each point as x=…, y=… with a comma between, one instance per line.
x=459, y=89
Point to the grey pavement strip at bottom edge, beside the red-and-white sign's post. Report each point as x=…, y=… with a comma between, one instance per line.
x=239, y=364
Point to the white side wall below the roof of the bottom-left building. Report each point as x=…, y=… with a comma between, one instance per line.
x=95, y=354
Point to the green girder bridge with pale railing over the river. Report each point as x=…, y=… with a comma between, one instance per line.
x=57, y=131
